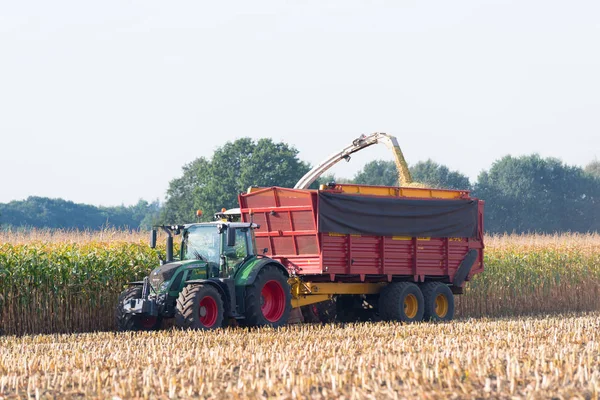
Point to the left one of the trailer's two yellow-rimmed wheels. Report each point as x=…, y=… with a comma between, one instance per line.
x=401, y=301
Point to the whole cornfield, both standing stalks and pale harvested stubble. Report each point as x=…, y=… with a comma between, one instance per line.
x=69, y=281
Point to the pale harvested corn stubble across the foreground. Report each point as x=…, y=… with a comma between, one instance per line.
x=532, y=357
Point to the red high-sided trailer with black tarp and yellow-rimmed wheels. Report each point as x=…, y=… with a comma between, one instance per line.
x=395, y=253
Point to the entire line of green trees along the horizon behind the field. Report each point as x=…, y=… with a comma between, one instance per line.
x=522, y=194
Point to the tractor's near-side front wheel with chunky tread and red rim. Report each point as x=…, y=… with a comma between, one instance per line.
x=199, y=307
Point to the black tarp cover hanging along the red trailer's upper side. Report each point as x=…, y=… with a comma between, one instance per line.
x=393, y=216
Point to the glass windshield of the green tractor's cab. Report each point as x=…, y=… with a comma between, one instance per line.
x=201, y=243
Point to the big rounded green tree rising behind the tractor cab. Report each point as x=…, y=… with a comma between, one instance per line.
x=211, y=184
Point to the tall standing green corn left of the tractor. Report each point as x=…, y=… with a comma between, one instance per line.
x=67, y=287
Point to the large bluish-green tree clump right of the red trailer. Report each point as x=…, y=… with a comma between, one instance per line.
x=531, y=194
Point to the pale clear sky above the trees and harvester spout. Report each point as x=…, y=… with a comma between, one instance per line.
x=103, y=102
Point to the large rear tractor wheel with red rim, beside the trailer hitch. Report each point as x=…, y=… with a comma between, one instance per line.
x=269, y=299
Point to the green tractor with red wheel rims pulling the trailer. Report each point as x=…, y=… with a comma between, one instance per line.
x=218, y=279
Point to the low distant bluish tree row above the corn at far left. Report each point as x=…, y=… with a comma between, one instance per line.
x=42, y=212
